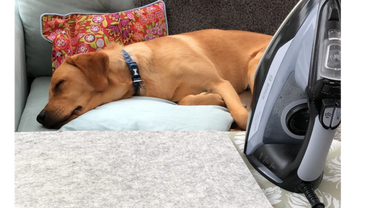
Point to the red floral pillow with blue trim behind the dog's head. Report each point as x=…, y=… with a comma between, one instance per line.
x=75, y=33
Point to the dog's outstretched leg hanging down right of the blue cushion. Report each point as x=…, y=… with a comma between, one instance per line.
x=233, y=103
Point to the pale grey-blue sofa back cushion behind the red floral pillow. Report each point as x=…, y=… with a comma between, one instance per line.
x=37, y=49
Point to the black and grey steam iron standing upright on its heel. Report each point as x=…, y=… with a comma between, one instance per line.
x=298, y=98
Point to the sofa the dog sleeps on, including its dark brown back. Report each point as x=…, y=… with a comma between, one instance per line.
x=31, y=62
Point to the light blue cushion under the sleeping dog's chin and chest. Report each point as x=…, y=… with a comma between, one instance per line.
x=148, y=113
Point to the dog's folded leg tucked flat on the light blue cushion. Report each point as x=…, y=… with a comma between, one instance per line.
x=203, y=98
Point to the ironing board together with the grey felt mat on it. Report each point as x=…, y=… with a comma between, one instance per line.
x=35, y=170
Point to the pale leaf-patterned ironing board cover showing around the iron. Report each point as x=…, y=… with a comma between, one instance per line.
x=330, y=190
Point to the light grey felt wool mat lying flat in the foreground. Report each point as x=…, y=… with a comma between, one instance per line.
x=130, y=169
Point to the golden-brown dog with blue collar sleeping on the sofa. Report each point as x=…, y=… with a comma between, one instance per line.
x=196, y=68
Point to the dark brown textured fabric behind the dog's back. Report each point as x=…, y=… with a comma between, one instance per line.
x=252, y=15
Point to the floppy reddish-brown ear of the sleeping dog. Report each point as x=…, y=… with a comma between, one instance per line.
x=95, y=67
